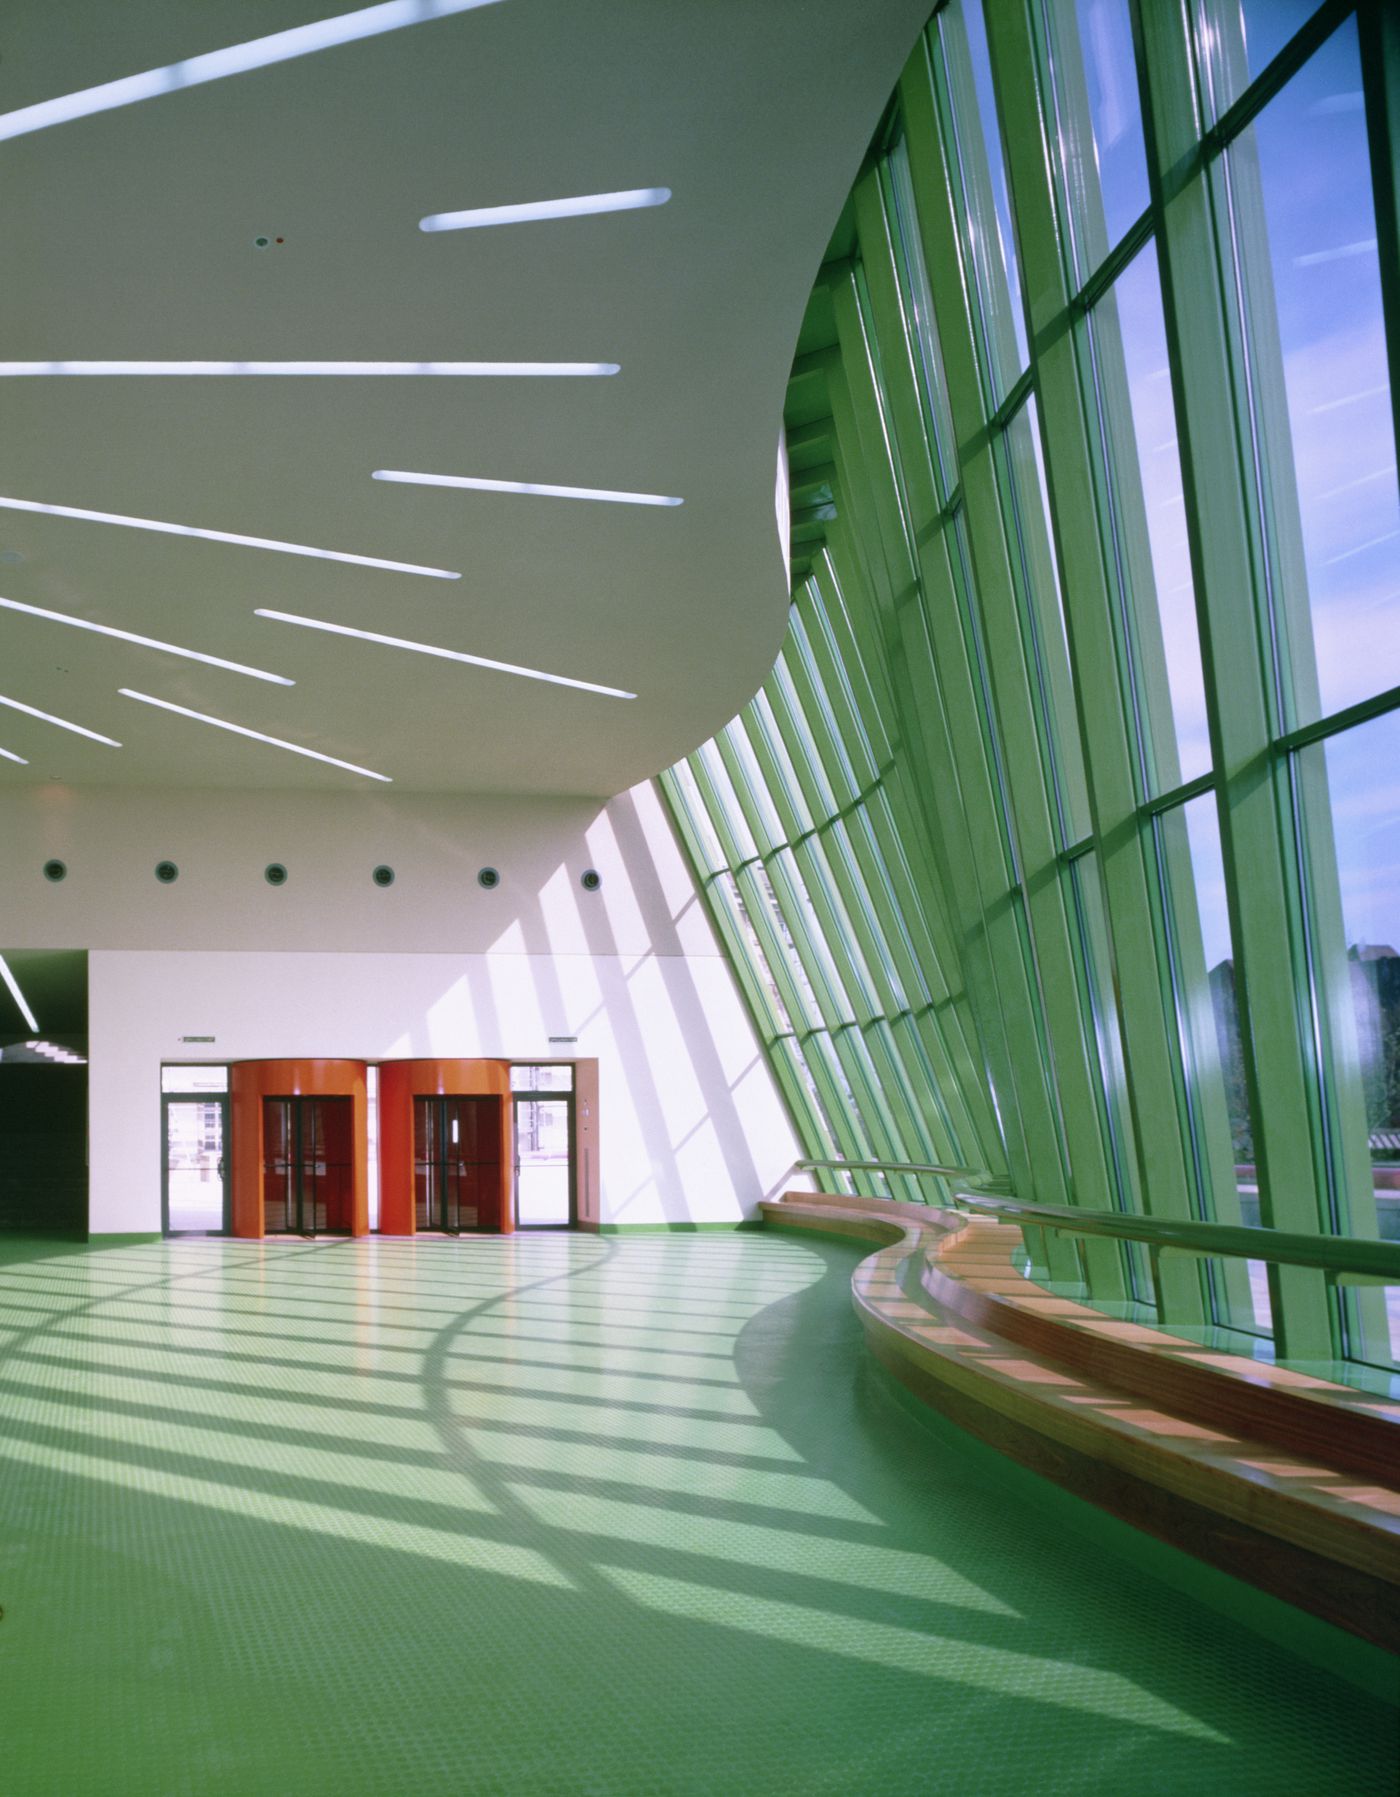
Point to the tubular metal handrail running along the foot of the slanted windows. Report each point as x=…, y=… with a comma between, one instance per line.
x=1360, y=1257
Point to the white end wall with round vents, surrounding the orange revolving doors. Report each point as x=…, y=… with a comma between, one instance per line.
x=691, y=1124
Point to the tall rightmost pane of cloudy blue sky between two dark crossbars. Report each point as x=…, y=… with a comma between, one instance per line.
x=1315, y=173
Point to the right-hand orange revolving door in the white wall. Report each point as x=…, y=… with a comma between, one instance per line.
x=445, y=1147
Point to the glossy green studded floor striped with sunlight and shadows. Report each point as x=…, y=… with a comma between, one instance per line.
x=563, y=1516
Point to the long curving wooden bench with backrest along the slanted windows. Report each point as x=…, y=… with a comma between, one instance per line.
x=1277, y=1478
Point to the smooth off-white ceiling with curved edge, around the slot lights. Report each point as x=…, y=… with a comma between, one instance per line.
x=130, y=236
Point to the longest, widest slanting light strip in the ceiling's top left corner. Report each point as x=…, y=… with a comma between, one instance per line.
x=217, y=66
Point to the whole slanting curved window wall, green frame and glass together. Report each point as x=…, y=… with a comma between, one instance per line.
x=1063, y=844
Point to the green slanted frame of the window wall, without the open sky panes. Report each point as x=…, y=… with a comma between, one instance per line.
x=946, y=847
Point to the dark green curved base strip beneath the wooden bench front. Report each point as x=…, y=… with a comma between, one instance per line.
x=1334, y=1651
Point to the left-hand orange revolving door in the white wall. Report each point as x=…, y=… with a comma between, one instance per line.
x=301, y=1147
